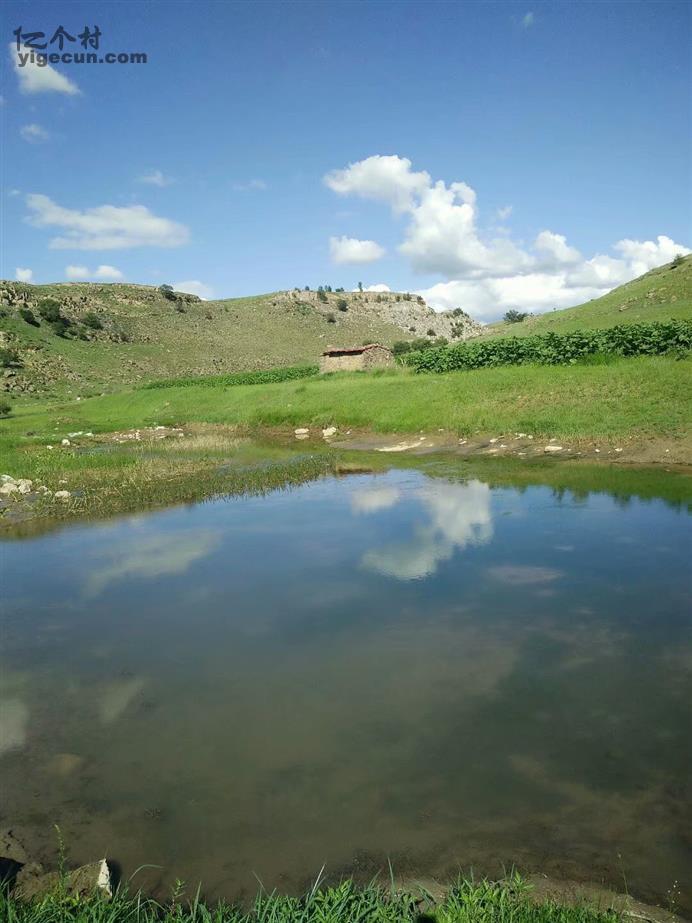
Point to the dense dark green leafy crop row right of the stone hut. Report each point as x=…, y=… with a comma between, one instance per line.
x=652, y=339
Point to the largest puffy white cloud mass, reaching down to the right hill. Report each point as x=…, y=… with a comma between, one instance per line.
x=482, y=274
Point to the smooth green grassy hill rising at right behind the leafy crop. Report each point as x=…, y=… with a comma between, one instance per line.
x=662, y=294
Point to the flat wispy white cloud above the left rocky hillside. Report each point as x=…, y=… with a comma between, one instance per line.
x=107, y=227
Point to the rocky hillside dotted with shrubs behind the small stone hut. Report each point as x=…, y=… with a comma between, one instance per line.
x=84, y=338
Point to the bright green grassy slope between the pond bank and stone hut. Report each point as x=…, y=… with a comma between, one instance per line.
x=628, y=398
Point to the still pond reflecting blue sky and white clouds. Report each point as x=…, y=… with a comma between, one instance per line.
x=420, y=665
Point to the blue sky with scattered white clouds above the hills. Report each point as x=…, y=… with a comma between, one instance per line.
x=502, y=154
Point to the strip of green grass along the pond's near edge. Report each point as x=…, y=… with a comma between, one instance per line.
x=466, y=902
